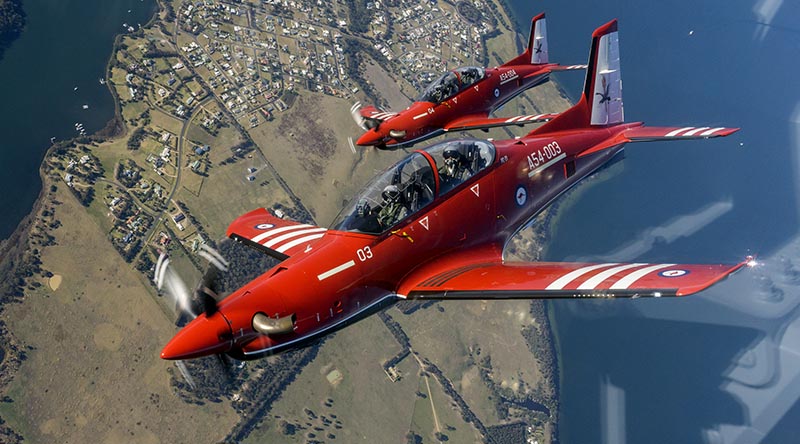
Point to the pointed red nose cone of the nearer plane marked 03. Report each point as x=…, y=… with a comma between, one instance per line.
x=202, y=337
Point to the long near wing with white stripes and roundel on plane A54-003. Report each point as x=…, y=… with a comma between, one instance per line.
x=541, y=280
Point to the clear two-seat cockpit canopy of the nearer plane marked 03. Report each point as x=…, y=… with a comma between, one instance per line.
x=411, y=184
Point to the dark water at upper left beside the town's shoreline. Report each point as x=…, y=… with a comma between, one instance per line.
x=65, y=45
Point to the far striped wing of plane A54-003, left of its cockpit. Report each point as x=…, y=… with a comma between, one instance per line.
x=272, y=235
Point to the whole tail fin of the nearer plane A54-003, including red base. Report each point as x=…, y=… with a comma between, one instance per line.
x=601, y=101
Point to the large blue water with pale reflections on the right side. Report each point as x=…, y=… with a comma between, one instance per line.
x=677, y=370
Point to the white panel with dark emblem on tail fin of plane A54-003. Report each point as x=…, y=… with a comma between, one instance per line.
x=606, y=89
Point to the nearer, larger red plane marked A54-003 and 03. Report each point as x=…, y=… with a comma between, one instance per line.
x=434, y=226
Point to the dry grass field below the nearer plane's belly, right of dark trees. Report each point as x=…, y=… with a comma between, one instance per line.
x=369, y=406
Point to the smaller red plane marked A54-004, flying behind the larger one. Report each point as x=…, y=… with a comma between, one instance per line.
x=462, y=99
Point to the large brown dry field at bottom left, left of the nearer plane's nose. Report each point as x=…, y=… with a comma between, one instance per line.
x=93, y=373
